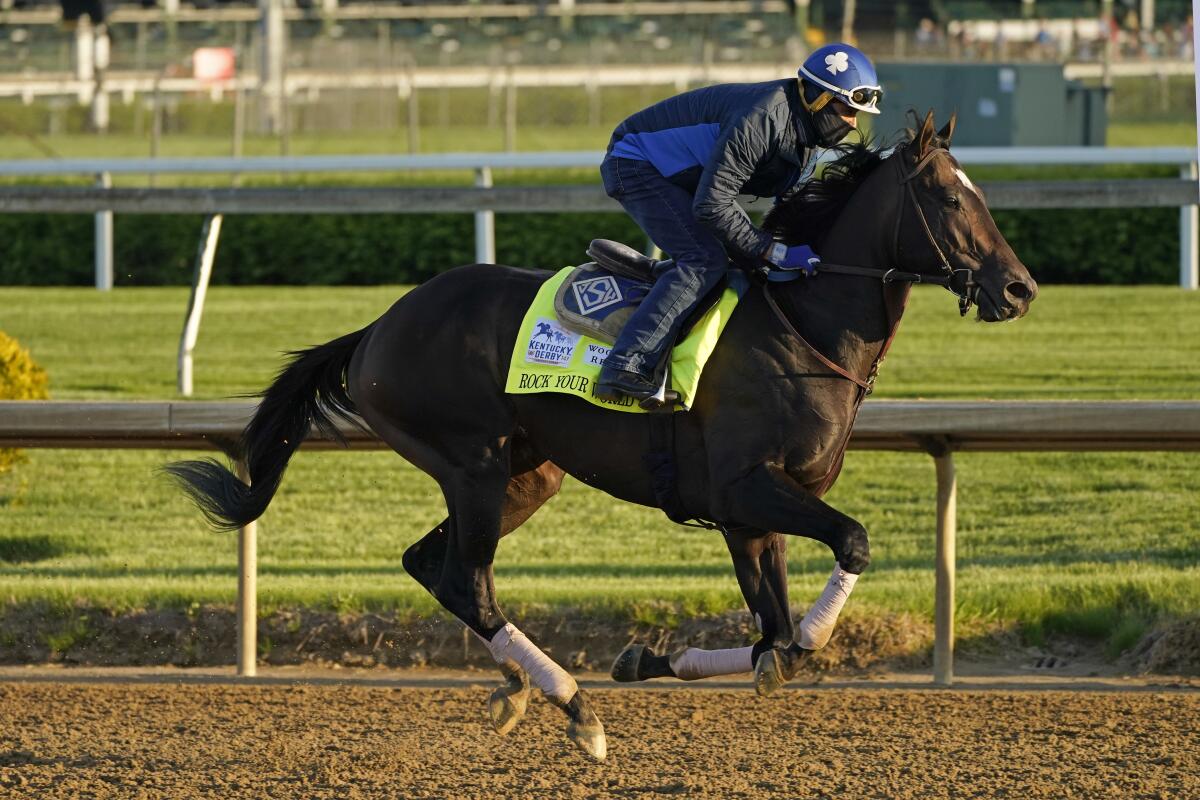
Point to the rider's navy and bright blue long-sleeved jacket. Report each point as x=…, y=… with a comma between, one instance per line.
x=721, y=142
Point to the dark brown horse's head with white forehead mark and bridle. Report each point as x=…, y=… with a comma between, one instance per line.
x=945, y=227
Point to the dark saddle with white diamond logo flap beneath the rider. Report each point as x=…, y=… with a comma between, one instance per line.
x=598, y=298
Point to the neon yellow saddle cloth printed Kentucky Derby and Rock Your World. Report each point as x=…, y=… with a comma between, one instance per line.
x=548, y=358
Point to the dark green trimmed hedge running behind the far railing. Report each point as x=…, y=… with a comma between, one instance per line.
x=1121, y=246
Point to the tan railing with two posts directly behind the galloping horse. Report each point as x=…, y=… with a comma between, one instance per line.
x=939, y=429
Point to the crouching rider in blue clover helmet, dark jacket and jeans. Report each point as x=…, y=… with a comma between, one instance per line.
x=679, y=167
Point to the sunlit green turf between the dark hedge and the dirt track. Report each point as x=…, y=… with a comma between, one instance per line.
x=1099, y=544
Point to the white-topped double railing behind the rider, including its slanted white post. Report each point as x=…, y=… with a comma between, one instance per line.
x=484, y=200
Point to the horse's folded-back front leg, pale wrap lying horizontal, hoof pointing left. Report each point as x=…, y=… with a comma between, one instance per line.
x=760, y=562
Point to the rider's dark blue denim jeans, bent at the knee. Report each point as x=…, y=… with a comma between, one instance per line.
x=664, y=212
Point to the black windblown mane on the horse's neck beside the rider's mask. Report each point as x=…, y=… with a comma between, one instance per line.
x=808, y=216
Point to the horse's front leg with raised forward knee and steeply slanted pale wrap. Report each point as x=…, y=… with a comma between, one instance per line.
x=769, y=498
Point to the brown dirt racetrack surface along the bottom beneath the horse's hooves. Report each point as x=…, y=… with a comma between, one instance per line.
x=178, y=736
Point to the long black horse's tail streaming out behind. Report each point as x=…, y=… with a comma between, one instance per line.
x=311, y=390
